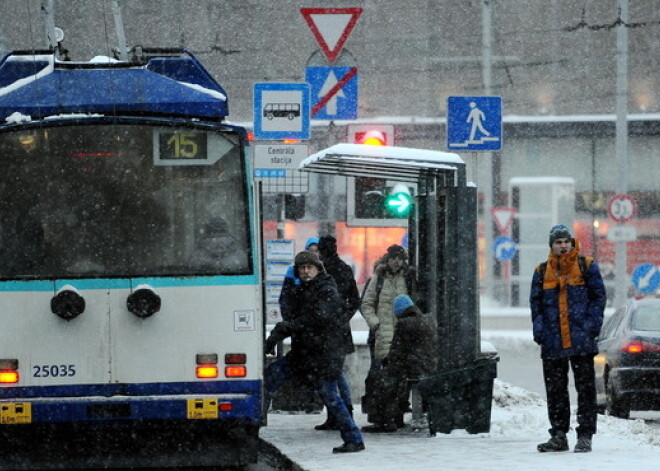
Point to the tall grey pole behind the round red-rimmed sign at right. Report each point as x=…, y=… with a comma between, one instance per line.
x=621, y=142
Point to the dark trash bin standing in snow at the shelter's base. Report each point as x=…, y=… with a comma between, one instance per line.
x=460, y=398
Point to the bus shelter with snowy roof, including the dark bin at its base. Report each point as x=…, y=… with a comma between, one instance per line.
x=443, y=245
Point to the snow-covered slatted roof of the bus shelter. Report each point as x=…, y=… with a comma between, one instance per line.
x=395, y=163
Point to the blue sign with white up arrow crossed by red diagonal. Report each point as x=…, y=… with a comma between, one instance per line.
x=334, y=92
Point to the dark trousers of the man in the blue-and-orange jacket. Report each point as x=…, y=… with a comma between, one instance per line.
x=555, y=374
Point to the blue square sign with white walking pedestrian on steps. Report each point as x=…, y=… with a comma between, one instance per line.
x=474, y=123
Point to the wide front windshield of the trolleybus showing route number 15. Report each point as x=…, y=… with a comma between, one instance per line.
x=119, y=200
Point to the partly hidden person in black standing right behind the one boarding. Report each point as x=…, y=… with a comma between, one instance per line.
x=347, y=287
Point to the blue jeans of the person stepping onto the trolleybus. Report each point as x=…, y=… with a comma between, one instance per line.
x=280, y=372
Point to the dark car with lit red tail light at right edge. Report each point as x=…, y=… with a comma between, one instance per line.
x=628, y=365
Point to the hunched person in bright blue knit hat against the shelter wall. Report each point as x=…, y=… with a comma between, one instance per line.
x=412, y=355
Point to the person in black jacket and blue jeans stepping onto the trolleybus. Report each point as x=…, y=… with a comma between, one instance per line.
x=316, y=354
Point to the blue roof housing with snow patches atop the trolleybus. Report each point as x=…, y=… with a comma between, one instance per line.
x=164, y=82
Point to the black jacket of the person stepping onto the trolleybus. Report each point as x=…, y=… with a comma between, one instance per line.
x=317, y=350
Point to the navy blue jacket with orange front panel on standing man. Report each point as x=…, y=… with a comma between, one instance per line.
x=567, y=311
